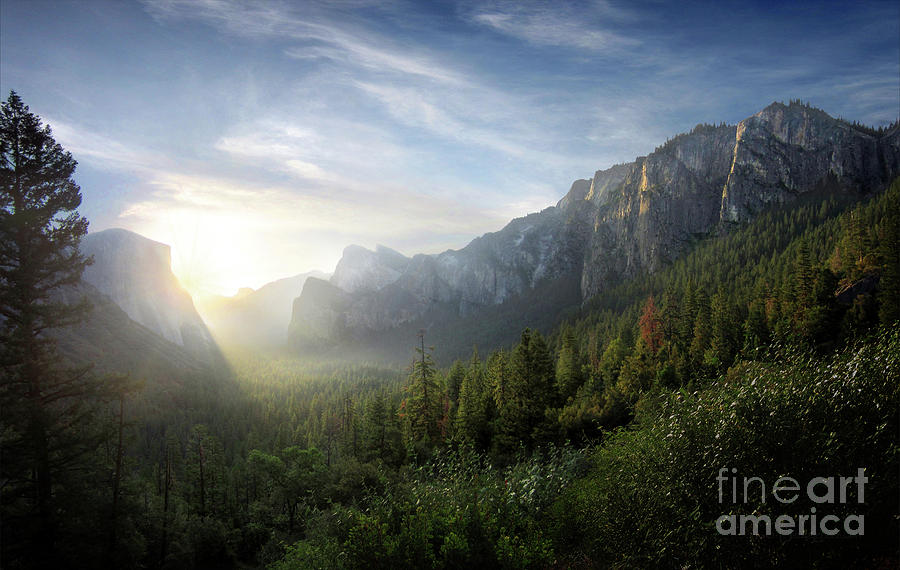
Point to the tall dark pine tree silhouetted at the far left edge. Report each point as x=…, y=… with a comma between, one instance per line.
x=46, y=425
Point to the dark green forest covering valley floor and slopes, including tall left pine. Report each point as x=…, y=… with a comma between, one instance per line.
x=772, y=349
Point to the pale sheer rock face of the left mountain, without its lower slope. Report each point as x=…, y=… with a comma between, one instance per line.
x=135, y=272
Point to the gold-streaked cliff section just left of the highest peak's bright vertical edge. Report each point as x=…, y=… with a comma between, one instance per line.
x=652, y=208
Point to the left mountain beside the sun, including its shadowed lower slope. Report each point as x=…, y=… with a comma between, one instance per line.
x=141, y=322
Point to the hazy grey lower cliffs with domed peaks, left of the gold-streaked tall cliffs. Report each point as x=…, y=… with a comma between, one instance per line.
x=375, y=291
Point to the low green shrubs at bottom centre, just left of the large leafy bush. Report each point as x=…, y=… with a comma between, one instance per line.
x=457, y=510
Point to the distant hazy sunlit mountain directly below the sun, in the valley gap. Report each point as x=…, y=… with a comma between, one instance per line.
x=257, y=319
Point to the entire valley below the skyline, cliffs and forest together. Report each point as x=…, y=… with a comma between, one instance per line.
x=560, y=393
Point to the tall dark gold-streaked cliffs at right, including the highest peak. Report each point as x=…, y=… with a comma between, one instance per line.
x=699, y=183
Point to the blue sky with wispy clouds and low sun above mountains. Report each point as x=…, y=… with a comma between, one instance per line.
x=258, y=139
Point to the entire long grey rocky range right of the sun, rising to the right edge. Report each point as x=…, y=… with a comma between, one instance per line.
x=626, y=220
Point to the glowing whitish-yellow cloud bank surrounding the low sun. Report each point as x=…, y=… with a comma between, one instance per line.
x=246, y=213
